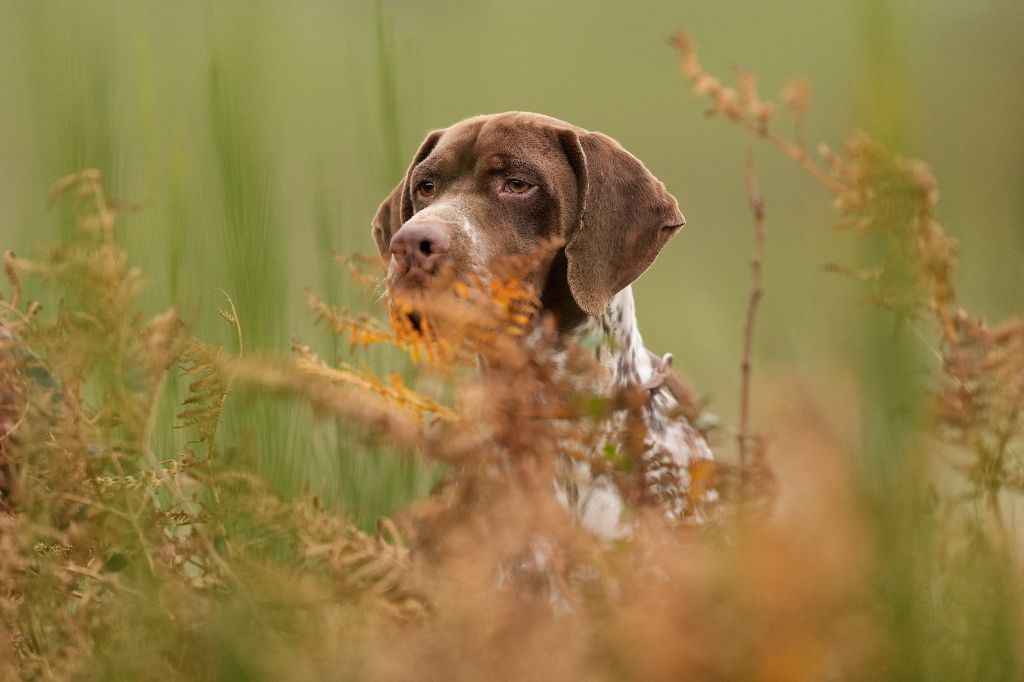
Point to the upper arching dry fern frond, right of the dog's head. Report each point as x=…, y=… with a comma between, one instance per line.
x=875, y=192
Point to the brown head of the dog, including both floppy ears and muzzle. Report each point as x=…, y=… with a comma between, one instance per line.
x=499, y=186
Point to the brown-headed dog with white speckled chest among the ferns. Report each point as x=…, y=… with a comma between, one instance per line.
x=501, y=186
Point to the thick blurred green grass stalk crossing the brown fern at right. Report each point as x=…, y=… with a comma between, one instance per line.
x=893, y=366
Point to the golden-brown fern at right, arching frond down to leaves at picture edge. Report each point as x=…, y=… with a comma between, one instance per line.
x=980, y=395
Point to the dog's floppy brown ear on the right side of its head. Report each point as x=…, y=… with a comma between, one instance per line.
x=625, y=218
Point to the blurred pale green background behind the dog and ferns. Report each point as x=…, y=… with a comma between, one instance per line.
x=260, y=137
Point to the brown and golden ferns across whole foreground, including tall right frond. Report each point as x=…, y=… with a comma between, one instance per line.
x=118, y=562
